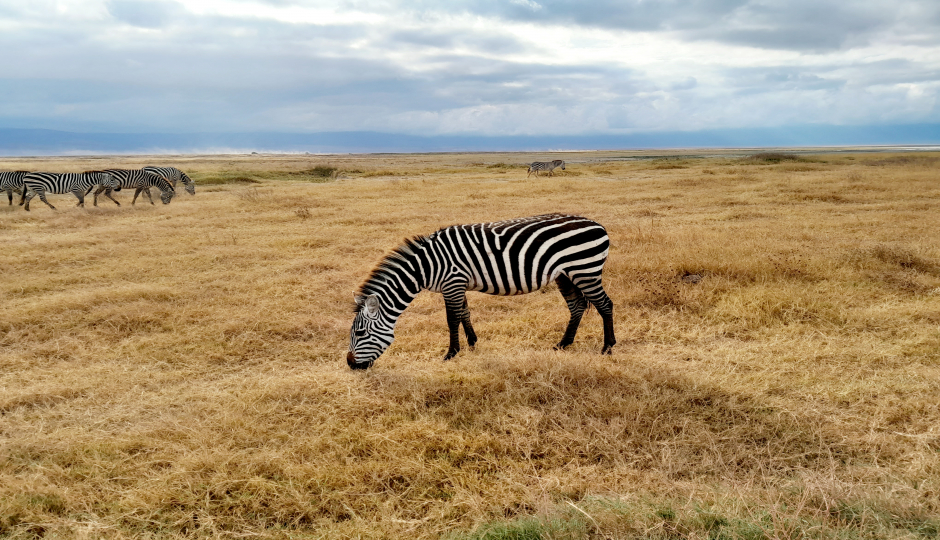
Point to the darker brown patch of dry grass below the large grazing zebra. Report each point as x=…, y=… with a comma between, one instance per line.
x=558, y=410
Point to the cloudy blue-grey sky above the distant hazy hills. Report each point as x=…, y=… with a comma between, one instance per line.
x=466, y=67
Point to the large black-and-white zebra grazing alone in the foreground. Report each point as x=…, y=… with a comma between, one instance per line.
x=504, y=258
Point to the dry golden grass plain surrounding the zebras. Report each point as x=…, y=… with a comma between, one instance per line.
x=179, y=371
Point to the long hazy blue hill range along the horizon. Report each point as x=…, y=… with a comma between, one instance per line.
x=19, y=142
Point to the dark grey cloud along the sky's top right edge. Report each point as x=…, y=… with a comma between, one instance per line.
x=800, y=25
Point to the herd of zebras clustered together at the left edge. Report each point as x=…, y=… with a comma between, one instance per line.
x=31, y=184
